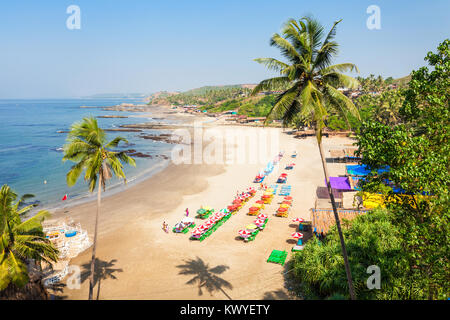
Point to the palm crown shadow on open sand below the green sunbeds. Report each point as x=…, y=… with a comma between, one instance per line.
x=206, y=277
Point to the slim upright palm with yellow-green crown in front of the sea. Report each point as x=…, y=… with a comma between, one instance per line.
x=88, y=148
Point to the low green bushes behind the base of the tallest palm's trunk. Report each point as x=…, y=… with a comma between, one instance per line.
x=371, y=240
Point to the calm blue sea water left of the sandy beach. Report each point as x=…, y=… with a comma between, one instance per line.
x=30, y=147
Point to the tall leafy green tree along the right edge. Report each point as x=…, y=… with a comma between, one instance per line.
x=417, y=150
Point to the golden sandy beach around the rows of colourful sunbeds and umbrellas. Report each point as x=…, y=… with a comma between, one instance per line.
x=140, y=261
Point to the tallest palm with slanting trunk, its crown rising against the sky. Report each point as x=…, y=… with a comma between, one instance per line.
x=312, y=84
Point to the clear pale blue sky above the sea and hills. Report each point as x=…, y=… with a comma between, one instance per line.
x=147, y=46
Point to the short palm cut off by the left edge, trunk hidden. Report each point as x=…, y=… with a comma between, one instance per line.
x=21, y=241
